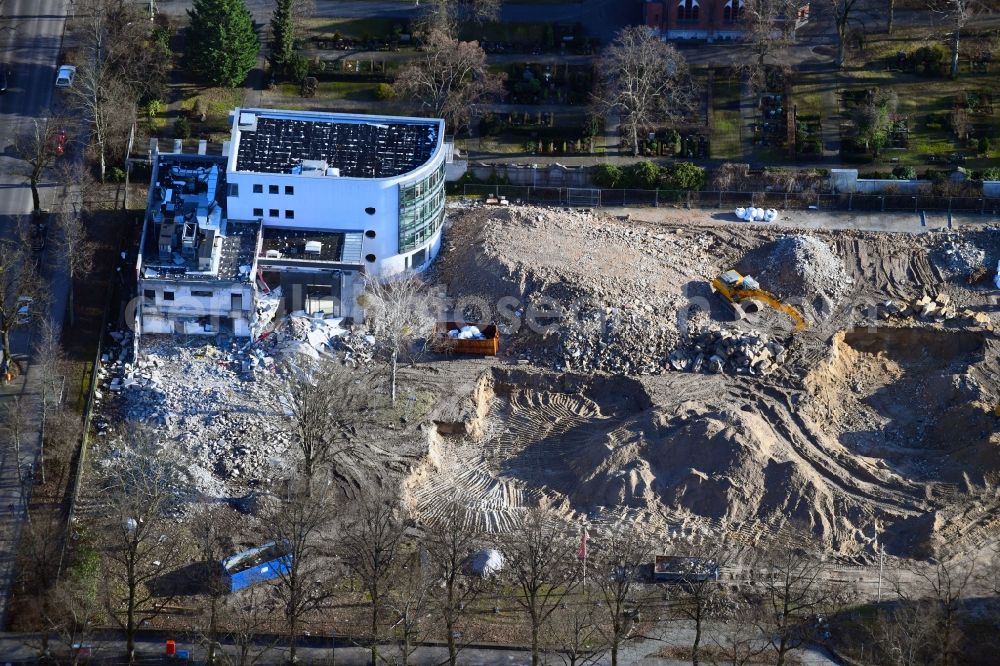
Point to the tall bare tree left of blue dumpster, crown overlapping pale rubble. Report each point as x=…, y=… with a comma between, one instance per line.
x=142, y=485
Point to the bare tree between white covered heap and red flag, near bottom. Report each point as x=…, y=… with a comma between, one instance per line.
x=541, y=566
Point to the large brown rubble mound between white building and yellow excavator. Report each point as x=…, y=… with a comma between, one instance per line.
x=575, y=290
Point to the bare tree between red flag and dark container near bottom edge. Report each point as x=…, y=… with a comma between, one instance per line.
x=620, y=556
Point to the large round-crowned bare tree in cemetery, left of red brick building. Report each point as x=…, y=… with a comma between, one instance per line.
x=644, y=81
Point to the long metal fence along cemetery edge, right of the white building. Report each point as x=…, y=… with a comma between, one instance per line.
x=594, y=198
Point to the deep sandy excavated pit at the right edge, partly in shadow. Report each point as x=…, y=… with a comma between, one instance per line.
x=917, y=398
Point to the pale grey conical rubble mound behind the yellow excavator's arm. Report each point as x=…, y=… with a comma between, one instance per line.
x=804, y=267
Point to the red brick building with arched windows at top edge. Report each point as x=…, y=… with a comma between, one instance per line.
x=701, y=19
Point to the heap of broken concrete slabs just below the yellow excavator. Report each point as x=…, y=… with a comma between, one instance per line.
x=714, y=349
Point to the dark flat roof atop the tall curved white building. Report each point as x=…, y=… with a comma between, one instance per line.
x=358, y=149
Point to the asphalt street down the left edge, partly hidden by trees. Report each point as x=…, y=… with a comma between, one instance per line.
x=31, y=48
